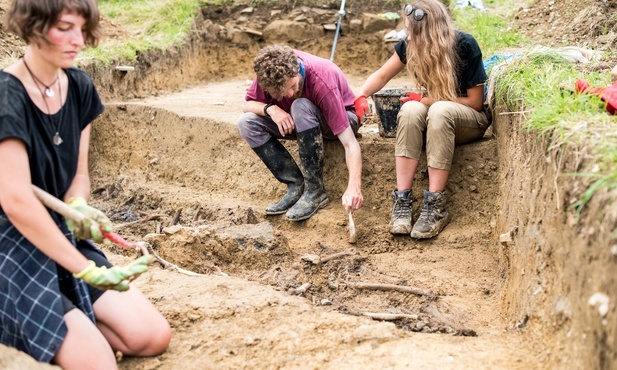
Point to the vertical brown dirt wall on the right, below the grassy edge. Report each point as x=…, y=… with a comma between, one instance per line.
x=555, y=263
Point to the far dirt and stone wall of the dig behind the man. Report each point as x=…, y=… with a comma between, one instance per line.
x=216, y=49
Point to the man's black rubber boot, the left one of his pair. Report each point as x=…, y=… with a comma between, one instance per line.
x=284, y=168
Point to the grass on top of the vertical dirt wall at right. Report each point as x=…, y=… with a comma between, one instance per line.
x=578, y=121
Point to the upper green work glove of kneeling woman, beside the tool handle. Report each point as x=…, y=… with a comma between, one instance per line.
x=86, y=229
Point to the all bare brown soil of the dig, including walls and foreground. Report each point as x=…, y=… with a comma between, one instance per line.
x=169, y=168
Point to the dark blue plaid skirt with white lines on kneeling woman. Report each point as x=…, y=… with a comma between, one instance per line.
x=31, y=310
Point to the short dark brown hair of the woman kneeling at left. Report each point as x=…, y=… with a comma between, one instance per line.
x=32, y=19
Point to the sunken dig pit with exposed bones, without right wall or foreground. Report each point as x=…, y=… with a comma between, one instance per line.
x=177, y=174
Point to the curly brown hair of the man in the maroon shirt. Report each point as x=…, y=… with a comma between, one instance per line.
x=274, y=66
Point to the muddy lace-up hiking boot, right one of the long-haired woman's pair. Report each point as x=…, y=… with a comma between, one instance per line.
x=434, y=216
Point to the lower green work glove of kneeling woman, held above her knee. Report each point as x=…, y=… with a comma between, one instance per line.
x=116, y=278
